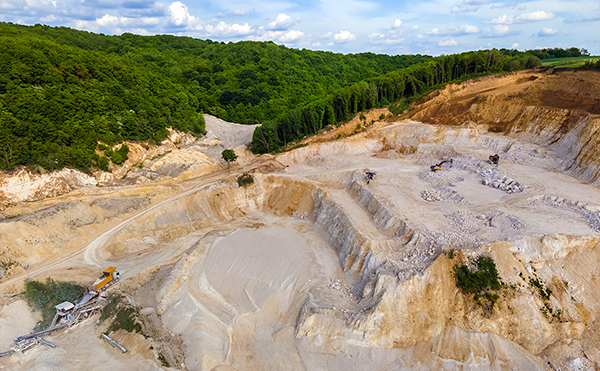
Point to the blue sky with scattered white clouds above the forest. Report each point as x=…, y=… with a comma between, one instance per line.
x=347, y=26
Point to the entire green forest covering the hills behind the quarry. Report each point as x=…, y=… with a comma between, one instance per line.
x=69, y=97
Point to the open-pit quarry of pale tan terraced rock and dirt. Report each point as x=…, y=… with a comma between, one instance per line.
x=313, y=267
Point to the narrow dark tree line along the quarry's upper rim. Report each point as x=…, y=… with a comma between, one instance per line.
x=380, y=91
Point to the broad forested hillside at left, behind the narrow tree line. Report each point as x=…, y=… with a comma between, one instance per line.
x=62, y=90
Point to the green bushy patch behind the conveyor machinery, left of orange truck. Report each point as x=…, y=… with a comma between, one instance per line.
x=44, y=296
